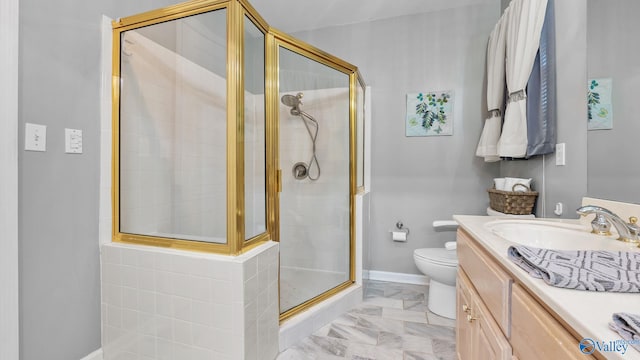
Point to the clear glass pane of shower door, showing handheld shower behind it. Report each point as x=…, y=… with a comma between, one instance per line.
x=315, y=225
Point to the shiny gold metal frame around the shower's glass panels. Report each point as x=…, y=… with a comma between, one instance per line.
x=237, y=10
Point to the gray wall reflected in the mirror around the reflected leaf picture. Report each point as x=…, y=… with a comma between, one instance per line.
x=612, y=27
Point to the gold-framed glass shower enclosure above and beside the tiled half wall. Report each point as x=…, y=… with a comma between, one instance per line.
x=227, y=134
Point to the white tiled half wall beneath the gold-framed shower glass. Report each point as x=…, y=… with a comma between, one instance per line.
x=171, y=304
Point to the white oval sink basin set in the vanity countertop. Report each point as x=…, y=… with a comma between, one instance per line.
x=554, y=235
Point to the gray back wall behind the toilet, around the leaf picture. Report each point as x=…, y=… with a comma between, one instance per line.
x=419, y=179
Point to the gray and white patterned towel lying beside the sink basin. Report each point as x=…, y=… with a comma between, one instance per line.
x=581, y=269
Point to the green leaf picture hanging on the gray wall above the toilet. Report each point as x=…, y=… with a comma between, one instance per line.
x=429, y=113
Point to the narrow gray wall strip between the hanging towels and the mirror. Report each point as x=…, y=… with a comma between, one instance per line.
x=566, y=184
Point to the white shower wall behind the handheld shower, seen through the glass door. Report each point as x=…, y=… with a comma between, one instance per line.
x=314, y=221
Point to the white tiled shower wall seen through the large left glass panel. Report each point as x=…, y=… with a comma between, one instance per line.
x=173, y=143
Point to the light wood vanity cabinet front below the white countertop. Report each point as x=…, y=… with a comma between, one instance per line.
x=497, y=318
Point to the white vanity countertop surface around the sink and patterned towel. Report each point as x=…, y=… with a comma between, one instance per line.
x=587, y=312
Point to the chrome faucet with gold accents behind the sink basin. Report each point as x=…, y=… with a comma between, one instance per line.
x=628, y=232
